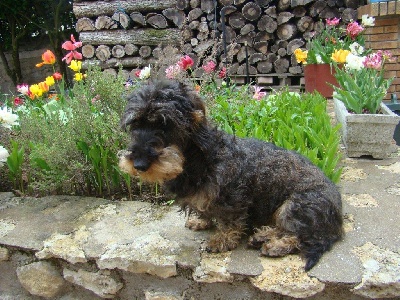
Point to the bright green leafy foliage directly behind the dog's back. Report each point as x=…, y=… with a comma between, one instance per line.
x=290, y=120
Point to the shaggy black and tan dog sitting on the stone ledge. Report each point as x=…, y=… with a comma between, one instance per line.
x=240, y=184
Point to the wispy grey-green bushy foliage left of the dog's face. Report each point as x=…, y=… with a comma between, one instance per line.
x=76, y=140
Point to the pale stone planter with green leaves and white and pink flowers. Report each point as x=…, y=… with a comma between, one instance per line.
x=367, y=123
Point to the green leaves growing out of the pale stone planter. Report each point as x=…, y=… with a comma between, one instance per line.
x=361, y=90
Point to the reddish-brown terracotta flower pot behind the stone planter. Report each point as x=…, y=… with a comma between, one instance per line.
x=317, y=77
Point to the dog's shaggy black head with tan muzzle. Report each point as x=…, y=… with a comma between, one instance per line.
x=162, y=117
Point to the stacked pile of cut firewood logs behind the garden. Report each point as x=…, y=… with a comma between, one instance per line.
x=259, y=36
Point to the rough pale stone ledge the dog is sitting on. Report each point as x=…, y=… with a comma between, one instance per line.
x=99, y=249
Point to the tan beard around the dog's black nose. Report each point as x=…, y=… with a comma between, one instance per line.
x=167, y=166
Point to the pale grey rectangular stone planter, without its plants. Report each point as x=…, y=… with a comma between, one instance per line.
x=367, y=134
